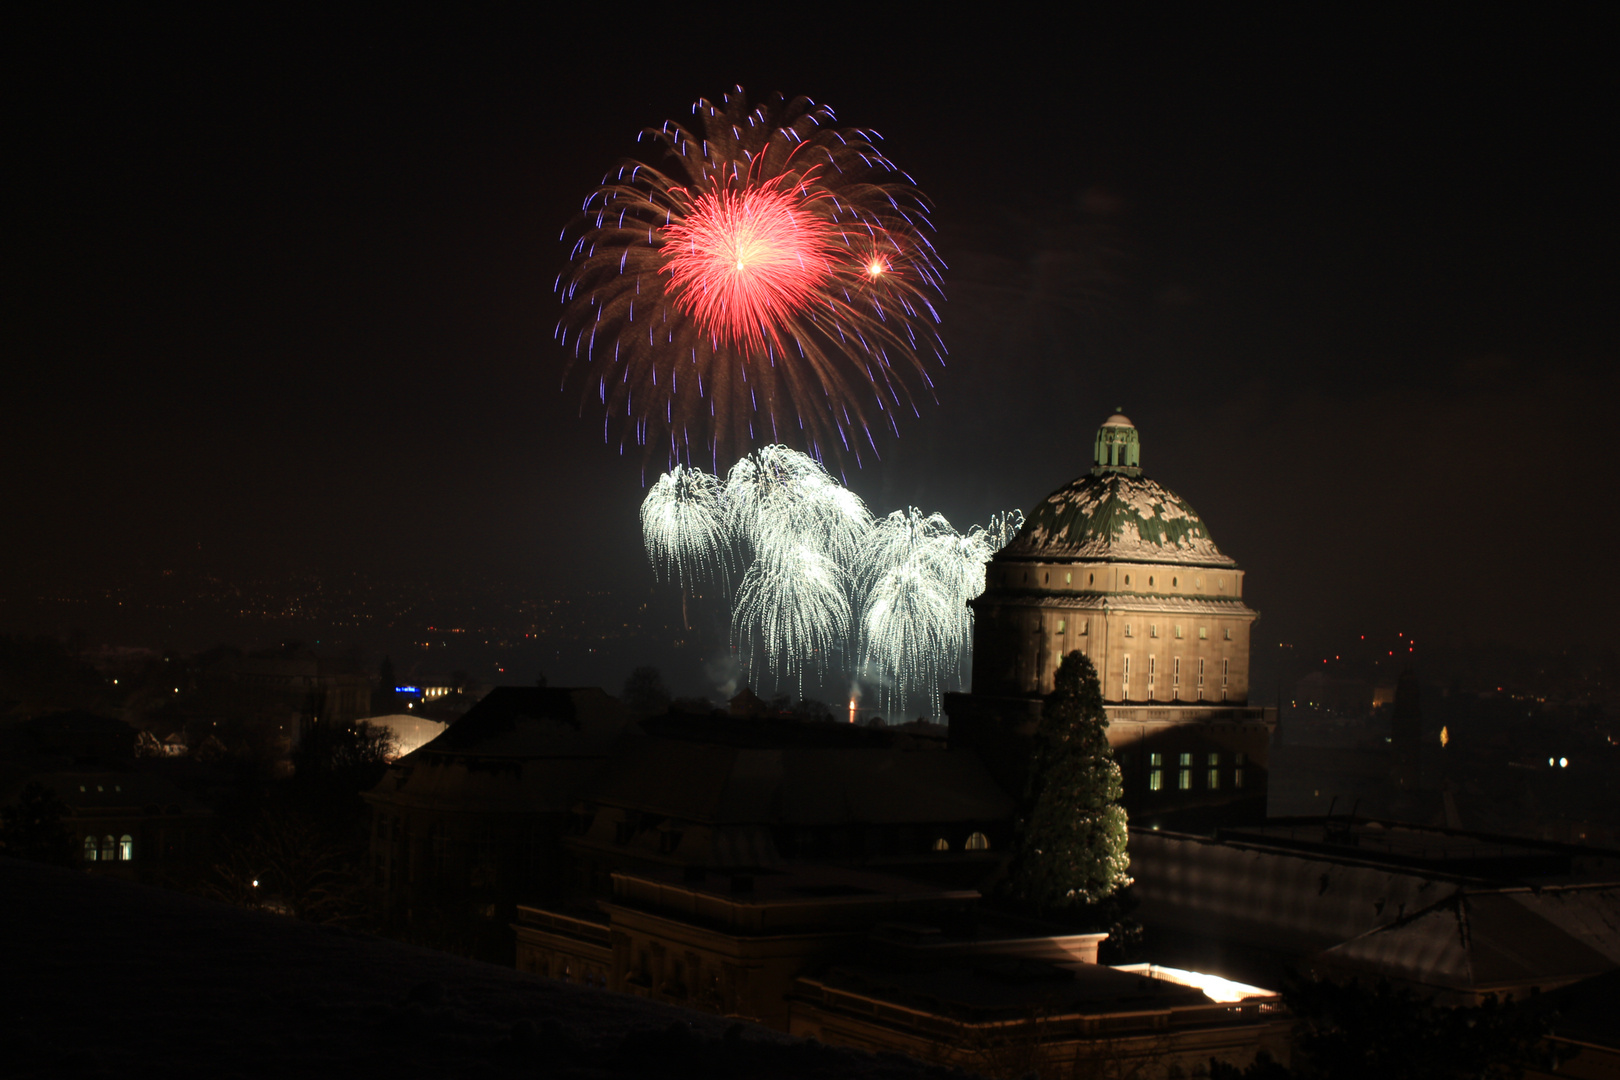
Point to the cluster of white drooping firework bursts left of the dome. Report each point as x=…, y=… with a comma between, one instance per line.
x=827, y=584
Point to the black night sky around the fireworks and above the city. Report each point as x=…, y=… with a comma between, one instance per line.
x=281, y=291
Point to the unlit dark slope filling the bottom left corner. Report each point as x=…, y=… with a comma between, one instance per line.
x=109, y=979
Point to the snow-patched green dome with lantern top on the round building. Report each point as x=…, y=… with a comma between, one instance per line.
x=1115, y=512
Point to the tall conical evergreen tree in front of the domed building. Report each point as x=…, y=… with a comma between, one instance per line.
x=1072, y=840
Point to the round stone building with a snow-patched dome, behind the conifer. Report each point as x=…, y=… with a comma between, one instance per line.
x=1127, y=572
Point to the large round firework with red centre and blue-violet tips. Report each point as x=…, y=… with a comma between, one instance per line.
x=767, y=279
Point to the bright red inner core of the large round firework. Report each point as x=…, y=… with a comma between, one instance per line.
x=744, y=263
